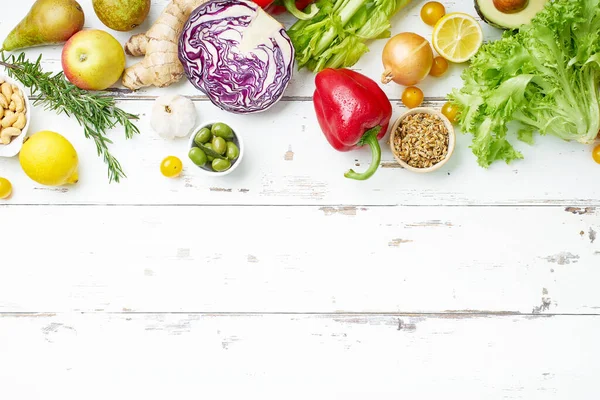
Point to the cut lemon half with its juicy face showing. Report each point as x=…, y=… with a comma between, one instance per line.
x=457, y=37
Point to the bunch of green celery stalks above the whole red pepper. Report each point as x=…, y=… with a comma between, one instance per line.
x=335, y=36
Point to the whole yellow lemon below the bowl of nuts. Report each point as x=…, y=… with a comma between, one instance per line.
x=50, y=159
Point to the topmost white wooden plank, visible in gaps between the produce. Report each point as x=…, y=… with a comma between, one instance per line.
x=302, y=84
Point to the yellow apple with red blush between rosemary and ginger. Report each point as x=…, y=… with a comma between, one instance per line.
x=93, y=59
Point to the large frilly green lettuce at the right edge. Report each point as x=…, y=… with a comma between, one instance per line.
x=544, y=77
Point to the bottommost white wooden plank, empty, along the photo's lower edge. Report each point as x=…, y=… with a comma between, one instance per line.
x=191, y=356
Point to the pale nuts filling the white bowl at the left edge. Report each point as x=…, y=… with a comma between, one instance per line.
x=12, y=112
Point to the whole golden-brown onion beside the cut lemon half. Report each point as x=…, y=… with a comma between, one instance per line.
x=407, y=59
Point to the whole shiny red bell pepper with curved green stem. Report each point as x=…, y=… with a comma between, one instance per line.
x=352, y=110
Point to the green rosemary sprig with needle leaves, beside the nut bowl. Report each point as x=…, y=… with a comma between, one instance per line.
x=94, y=111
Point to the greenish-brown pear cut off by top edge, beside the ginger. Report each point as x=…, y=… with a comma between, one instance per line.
x=121, y=15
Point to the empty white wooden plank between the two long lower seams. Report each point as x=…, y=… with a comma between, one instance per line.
x=299, y=259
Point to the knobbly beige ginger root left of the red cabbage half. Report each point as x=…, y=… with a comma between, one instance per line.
x=161, y=66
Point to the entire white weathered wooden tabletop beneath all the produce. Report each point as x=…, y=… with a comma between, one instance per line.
x=286, y=280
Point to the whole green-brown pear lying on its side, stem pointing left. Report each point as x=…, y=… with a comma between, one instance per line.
x=48, y=22
